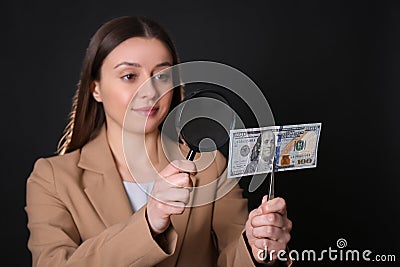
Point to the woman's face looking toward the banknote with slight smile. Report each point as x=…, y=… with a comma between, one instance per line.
x=124, y=71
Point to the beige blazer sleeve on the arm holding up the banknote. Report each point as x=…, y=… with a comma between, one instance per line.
x=229, y=219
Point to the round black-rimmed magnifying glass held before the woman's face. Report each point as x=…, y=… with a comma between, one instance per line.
x=203, y=121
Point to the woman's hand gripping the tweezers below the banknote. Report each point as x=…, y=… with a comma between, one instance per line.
x=268, y=227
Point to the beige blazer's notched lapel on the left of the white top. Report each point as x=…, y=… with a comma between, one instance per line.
x=102, y=182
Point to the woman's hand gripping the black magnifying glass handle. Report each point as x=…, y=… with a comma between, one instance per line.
x=170, y=194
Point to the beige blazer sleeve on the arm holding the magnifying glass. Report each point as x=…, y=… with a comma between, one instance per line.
x=55, y=240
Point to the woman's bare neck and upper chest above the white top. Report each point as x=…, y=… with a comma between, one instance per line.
x=139, y=151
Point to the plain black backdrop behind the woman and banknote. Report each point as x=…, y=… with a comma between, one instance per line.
x=335, y=62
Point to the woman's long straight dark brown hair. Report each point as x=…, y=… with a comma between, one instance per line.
x=87, y=115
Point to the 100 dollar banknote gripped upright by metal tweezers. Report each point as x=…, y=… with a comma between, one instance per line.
x=290, y=147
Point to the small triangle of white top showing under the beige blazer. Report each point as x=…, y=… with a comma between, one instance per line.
x=138, y=193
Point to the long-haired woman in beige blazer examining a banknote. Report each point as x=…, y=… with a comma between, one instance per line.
x=80, y=213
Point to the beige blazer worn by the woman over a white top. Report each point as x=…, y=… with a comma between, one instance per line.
x=79, y=215
